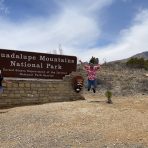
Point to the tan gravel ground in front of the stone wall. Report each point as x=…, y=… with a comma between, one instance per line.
x=91, y=123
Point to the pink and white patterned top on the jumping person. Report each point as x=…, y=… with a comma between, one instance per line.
x=91, y=72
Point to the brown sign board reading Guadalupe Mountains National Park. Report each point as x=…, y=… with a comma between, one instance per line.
x=22, y=64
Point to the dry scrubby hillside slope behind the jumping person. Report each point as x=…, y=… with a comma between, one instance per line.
x=120, y=79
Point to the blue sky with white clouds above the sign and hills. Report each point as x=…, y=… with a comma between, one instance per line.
x=107, y=29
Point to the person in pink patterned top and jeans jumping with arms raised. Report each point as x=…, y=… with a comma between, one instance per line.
x=91, y=70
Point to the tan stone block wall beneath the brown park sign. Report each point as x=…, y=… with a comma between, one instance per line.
x=23, y=92
